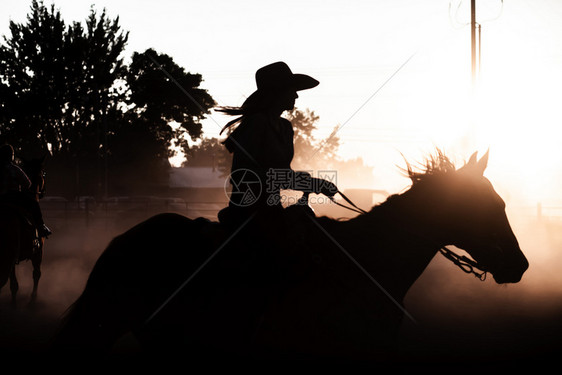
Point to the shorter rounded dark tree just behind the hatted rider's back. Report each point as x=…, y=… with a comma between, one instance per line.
x=160, y=93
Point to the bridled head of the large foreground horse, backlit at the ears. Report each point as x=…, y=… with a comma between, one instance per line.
x=471, y=216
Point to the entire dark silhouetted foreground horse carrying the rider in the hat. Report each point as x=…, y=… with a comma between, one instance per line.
x=181, y=283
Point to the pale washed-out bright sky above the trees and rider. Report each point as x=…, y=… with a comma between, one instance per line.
x=395, y=74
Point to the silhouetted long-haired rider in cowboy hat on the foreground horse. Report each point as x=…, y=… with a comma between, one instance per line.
x=262, y=148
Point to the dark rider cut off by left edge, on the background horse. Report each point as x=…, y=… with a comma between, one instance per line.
x=14, y=185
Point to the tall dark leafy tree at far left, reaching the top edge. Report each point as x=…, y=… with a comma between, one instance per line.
x=59, y=80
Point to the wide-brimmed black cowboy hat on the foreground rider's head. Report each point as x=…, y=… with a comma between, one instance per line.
x=279, y=76
